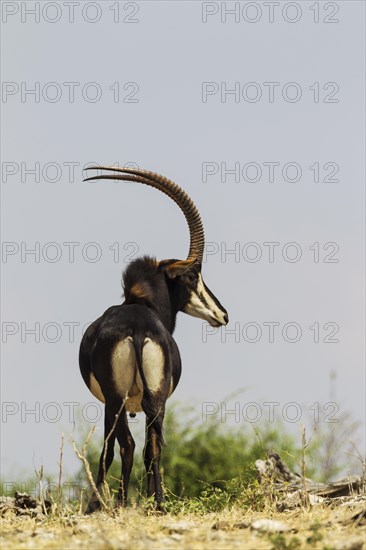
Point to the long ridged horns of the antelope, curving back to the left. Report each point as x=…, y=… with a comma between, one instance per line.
x=176, y=193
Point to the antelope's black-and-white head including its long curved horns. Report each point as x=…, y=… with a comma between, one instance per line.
x=183, y=276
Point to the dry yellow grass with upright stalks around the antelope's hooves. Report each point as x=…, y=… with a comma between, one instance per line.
x=307, y=523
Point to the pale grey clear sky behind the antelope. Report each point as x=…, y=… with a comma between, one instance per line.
x=163, y=73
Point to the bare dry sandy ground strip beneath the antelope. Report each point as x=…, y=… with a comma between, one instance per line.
x=324, y=529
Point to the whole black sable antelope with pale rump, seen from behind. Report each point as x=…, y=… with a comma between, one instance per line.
x=128, y=357
